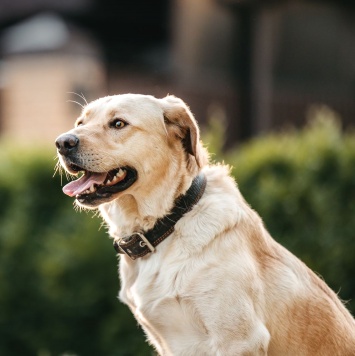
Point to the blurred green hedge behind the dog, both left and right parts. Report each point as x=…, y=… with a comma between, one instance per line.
x=58, y=270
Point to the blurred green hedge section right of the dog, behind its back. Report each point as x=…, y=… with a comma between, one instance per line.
x=302, y=183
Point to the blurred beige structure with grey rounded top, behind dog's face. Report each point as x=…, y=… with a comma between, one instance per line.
x=44, y=63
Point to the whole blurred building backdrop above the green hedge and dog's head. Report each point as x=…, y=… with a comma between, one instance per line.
x=257, y=65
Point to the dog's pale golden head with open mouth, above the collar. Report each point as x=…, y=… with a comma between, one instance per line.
x=127, y=142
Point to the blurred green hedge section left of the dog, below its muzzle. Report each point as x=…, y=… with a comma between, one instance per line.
x=58, y=270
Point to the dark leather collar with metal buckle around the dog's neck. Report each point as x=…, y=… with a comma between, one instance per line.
x=141, y=243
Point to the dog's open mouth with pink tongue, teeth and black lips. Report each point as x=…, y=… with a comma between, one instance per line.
x=92, y=187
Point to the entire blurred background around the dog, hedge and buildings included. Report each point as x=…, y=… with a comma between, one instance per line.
x=272, y=84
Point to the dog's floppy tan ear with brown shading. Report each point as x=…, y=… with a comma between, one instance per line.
x=178, y=115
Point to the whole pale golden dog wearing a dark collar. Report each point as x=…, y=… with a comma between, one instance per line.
x=198, y=269
